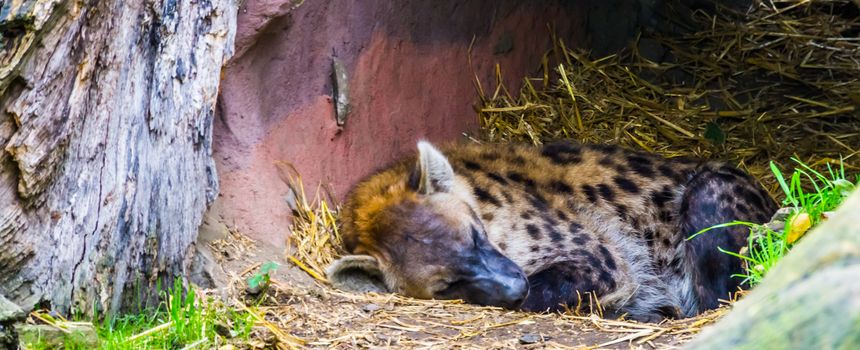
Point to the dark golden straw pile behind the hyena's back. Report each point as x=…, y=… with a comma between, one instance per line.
x=780, y=80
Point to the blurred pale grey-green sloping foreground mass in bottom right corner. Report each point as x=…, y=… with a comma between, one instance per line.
x=810, y=300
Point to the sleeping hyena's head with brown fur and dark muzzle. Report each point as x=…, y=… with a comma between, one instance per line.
x=420, y=236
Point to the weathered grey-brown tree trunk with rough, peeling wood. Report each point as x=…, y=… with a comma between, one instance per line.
x=106, y=111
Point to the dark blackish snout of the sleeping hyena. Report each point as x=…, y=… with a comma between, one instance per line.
x=496, y=281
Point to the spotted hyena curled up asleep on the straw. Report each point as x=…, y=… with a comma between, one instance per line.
x=537, y=228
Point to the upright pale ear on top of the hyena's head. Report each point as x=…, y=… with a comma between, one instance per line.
x=432, y=173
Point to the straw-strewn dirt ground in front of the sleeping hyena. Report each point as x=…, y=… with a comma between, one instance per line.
x=303, y=312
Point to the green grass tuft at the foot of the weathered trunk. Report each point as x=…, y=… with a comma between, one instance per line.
x=179, y=321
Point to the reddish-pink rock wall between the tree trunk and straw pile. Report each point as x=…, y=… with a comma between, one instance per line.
x=409, y=79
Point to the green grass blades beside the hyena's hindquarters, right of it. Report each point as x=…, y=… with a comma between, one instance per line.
x=808, y=192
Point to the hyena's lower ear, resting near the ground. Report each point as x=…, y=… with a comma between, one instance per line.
x=357, y=273
